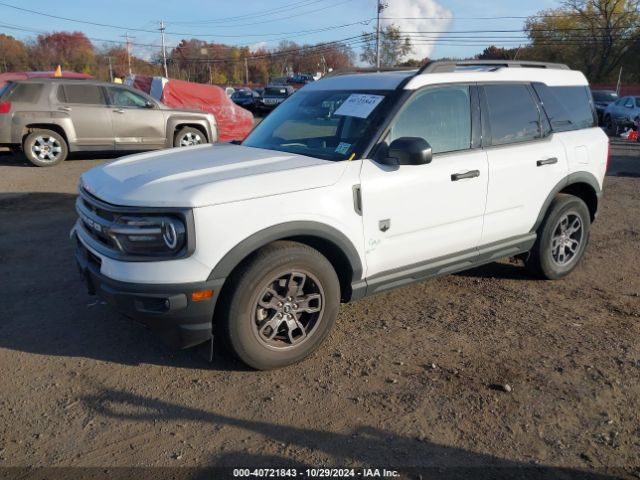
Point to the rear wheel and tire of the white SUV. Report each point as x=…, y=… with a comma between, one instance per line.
x=556, y=253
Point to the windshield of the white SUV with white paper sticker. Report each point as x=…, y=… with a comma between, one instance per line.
x=325, y=124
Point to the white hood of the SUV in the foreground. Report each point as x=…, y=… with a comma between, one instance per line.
x=206, y=175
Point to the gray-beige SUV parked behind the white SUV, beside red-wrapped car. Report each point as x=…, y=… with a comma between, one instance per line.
x=49, y=117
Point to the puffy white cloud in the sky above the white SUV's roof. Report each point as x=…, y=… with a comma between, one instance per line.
x=410, y=15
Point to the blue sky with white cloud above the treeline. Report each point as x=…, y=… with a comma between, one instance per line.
x=451, y=29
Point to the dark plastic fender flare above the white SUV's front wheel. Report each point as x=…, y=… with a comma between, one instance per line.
x=287, y=231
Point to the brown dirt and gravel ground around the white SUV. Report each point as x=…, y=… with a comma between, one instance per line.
x=410, y=378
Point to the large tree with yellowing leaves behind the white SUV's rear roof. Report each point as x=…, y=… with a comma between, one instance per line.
x=590, y=35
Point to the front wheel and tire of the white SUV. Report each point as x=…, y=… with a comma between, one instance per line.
x=245, y=323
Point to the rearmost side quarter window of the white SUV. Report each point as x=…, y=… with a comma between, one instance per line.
x=568, y=108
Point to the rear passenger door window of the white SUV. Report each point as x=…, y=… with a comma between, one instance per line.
x=513, y=114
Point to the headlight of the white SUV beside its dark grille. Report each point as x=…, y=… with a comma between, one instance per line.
x=149, y=236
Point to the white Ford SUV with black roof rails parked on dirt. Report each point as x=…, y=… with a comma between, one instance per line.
x=356, y=184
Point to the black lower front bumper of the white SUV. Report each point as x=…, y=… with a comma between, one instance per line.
x=168, y=309
